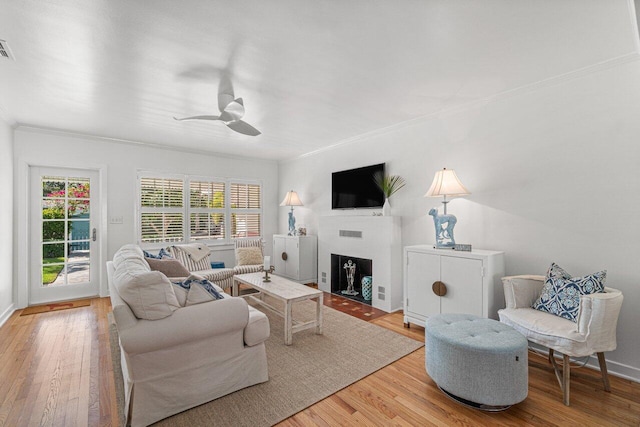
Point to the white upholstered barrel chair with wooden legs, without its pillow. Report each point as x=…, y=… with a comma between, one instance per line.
x=594, y=331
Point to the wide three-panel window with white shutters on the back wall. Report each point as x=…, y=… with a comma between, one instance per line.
x=182, y=209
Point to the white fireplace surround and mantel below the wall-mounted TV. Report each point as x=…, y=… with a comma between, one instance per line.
x=377, y=238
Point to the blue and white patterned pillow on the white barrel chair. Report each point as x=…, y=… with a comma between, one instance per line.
x=561, y=293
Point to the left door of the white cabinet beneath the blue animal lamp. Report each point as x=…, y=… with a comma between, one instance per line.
x=422, y=271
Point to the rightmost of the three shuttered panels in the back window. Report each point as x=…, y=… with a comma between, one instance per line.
x=246, y=210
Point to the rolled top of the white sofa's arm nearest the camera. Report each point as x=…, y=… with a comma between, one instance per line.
x=191, y=323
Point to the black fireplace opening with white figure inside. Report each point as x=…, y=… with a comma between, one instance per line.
x=351, y=277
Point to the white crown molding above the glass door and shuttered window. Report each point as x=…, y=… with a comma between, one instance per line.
x=79, y=135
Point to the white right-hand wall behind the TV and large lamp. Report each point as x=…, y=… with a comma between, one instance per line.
x=553, y=173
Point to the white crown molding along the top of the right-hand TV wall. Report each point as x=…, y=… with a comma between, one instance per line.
x=510, y=93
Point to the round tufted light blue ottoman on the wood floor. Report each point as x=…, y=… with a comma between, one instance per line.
x=479, y=362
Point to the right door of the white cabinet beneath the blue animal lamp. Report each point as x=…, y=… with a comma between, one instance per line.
x=463, y=278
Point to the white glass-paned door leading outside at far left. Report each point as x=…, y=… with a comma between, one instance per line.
x=64, y=249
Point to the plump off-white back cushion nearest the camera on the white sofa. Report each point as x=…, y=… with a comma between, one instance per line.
x=149, y=294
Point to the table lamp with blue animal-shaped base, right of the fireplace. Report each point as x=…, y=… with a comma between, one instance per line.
x=445, y=183
